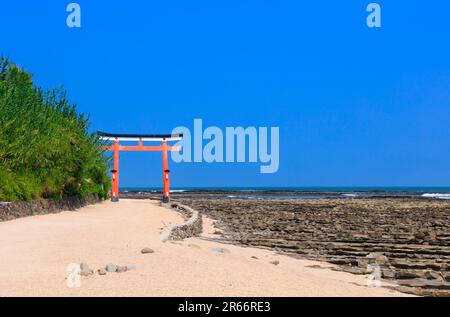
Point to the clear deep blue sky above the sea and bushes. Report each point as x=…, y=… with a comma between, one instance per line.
x=356, y=106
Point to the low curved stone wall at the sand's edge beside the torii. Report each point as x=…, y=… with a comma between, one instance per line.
x=191, y=228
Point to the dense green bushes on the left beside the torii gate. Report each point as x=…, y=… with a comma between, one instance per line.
x=46, y=150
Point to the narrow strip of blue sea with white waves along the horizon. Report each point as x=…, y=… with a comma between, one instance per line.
x=299, y=192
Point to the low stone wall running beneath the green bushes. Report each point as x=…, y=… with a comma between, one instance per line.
x=19, y=209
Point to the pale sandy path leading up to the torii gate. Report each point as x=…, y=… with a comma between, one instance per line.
x=35, y=251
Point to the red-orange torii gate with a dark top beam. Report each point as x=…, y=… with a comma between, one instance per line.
x=116, y=148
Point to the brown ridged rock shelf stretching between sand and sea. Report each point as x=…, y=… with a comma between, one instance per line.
x=408, y=239
